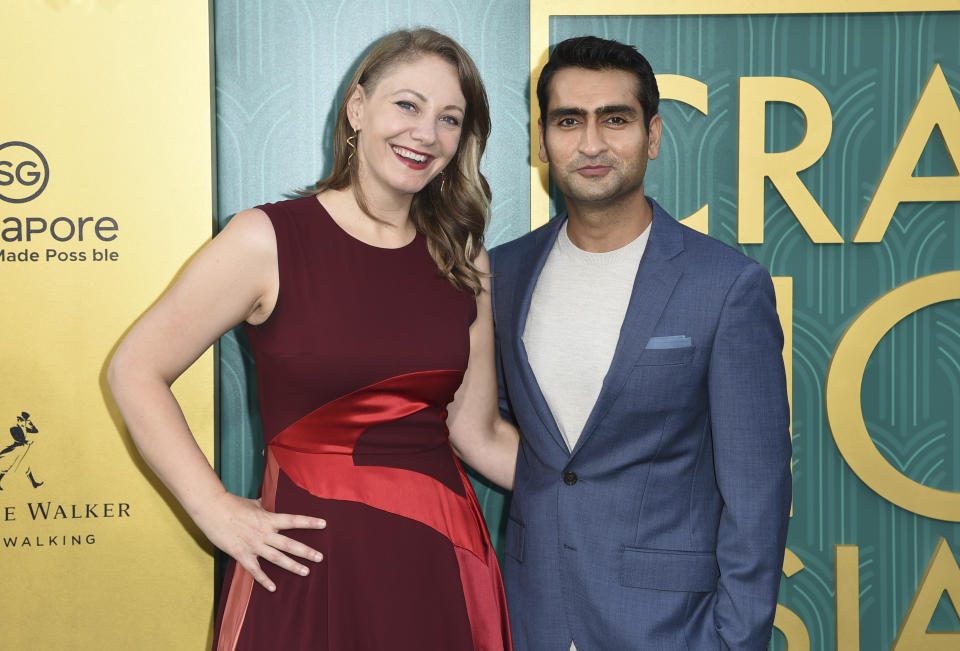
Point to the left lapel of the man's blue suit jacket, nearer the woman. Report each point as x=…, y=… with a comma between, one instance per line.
x=528, y=272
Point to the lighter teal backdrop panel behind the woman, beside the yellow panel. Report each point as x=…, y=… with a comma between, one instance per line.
x=281, y=70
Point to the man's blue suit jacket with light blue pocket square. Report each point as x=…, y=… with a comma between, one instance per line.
x=665, y=527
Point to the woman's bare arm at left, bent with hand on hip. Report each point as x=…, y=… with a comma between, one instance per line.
x=232, y=279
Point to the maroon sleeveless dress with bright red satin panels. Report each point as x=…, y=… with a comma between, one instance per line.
x=355, y=366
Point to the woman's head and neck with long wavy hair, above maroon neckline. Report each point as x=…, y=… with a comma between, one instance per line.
x=417, y=98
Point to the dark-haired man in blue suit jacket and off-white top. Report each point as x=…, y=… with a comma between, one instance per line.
x=642, y=362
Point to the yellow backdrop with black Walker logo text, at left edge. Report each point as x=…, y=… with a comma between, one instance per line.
x=105, y=190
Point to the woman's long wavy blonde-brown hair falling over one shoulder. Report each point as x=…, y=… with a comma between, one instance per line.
x=452, y=220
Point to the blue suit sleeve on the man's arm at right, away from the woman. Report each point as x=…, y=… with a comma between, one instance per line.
x=751, y=440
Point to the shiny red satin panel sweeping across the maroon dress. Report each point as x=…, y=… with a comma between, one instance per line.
x=316, y=453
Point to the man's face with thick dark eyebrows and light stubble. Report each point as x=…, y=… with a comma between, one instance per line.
x=593, y=135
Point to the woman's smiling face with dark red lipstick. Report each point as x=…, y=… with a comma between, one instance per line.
x=410, y=124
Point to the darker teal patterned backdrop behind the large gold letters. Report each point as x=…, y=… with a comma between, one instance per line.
x=871, y=69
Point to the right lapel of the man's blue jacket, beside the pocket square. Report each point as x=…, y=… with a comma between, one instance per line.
x=656, y=278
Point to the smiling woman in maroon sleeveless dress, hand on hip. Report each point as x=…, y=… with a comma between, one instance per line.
x=368, y=310
